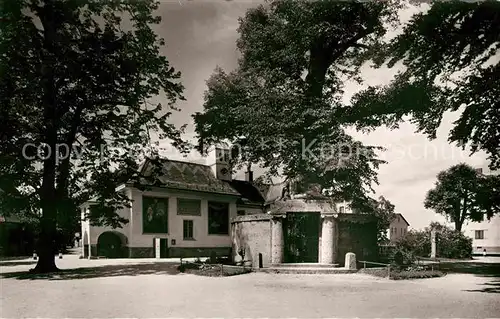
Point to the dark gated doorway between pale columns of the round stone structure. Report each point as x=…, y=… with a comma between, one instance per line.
x=301, y=232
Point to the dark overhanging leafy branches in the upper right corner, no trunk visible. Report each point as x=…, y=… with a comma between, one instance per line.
x=451, y=63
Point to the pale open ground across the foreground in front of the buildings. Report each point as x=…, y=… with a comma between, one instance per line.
x=147, y=291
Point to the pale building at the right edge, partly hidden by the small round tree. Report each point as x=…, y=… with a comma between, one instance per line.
x=486, y=234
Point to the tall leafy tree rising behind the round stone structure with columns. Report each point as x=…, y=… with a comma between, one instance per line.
x=277, y=107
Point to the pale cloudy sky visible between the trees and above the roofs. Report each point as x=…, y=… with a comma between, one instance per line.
x=201, y=35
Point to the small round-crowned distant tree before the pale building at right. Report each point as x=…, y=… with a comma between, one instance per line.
x=461, y=194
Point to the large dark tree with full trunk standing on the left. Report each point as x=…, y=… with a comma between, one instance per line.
x=75, y=79
